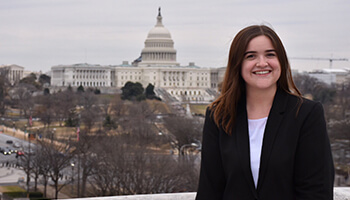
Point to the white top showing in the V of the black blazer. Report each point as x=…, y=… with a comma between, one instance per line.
x=256, y=135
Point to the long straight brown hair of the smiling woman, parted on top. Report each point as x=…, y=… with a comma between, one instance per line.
x=233, y=86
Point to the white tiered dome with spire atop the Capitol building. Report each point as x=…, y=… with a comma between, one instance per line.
x=159, y=47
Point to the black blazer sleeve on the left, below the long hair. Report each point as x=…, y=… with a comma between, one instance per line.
x=212, y=180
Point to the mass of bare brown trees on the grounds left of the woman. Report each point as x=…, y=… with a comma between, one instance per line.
x=123, y=147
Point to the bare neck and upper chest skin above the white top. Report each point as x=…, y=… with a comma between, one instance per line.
x=259, y=102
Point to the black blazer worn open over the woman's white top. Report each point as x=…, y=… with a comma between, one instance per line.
x=296, y=160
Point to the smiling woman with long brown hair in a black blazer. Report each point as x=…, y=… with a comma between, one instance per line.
x=261, y=139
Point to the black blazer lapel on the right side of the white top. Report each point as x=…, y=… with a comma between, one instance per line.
x=271, y=130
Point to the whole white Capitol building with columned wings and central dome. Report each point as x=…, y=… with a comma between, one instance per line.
x=157, y=65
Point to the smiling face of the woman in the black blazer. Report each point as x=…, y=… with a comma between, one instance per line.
x=260, y=67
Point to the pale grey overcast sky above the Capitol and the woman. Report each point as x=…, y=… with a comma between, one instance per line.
x=39, y=34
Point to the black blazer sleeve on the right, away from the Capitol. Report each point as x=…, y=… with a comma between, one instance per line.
x=314, y=169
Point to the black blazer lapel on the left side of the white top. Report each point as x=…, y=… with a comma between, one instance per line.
x=242, y=136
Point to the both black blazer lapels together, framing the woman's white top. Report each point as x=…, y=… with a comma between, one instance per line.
x=271, y=130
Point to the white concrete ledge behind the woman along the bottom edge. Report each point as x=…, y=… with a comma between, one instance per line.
x=340, y=193
